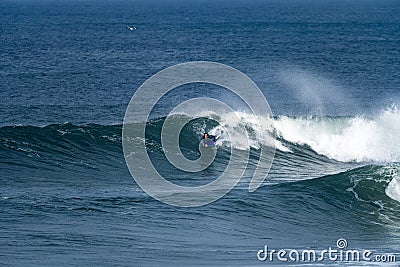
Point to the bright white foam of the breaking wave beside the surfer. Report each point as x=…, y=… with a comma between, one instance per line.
x=346, y=139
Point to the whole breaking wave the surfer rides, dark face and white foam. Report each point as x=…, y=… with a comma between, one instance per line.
x=307, y=147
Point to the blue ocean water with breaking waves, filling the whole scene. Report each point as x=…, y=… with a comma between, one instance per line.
x=330, y=71
